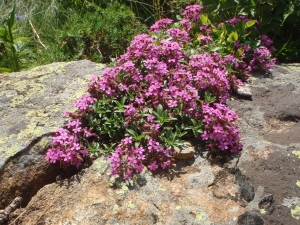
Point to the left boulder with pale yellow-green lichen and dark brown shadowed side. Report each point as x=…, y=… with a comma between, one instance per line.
x=31, y=107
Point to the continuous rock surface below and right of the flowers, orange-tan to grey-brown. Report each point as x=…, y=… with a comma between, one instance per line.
x=259, y=186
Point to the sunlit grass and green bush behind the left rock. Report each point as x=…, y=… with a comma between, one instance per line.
x=68, y=30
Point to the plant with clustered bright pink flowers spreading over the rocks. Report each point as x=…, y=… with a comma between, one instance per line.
x=162, y=91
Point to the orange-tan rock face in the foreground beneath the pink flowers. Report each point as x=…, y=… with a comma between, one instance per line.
x=87, y=198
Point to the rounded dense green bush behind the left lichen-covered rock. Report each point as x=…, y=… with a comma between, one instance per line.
x=97, y=35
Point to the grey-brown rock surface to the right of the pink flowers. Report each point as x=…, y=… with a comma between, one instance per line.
x=274, y=166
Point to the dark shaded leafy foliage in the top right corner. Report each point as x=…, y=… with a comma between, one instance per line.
x=278, y=19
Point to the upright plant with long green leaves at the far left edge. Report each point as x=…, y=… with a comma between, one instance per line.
x=11, y=48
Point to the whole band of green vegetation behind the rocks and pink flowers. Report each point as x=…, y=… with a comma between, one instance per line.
x=100, y=30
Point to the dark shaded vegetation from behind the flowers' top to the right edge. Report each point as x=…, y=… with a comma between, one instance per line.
x=279, y=19
